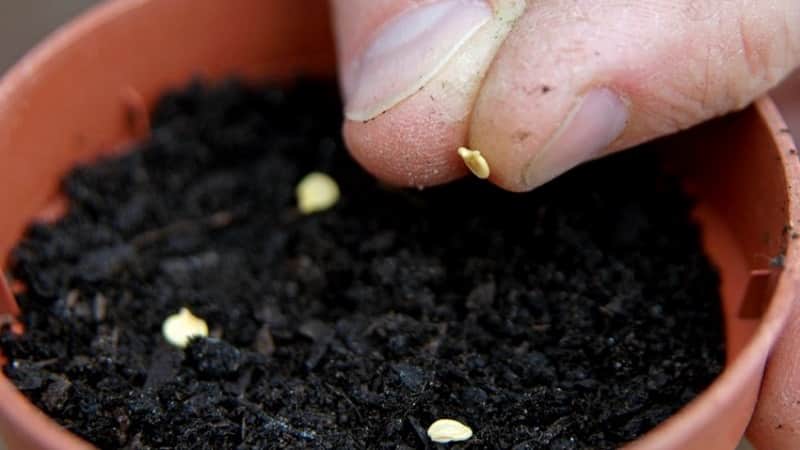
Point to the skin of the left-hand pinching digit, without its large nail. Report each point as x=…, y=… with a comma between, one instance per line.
x=415, y=142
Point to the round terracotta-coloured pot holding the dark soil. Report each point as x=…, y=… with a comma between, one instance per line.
x=86, y=91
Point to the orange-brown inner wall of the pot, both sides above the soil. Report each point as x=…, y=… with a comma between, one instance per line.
x=84, y=96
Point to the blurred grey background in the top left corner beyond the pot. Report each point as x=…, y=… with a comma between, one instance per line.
x=23, y=23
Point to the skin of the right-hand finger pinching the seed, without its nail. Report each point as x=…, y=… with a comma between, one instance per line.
x=675, y=63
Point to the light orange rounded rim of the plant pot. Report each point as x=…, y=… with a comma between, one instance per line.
x=18, y=414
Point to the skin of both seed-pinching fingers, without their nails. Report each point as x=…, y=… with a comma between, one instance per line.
x=674, y=63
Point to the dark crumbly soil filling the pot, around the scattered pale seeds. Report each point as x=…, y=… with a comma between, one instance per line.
x=577, y=316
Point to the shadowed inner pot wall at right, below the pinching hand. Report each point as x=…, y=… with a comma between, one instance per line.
x=734, y=170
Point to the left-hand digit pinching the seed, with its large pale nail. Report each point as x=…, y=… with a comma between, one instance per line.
x=410, y=71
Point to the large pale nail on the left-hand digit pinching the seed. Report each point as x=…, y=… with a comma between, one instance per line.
x=407, y=52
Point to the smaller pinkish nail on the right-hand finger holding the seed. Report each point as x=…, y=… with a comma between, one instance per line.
x=589, y=128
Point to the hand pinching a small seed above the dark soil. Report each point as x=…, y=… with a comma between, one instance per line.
x=542, y=87
